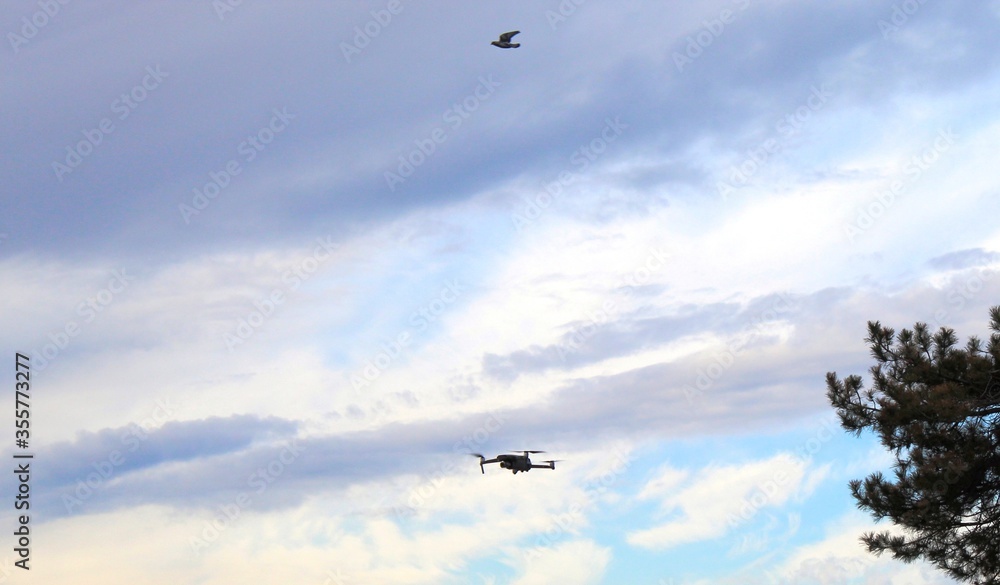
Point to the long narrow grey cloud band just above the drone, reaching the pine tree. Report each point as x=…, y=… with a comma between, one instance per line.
x=762, y=381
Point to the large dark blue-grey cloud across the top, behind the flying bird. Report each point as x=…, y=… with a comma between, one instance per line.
x=353, y=120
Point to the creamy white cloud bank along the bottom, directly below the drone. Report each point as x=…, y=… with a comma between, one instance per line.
x=342, y=534
